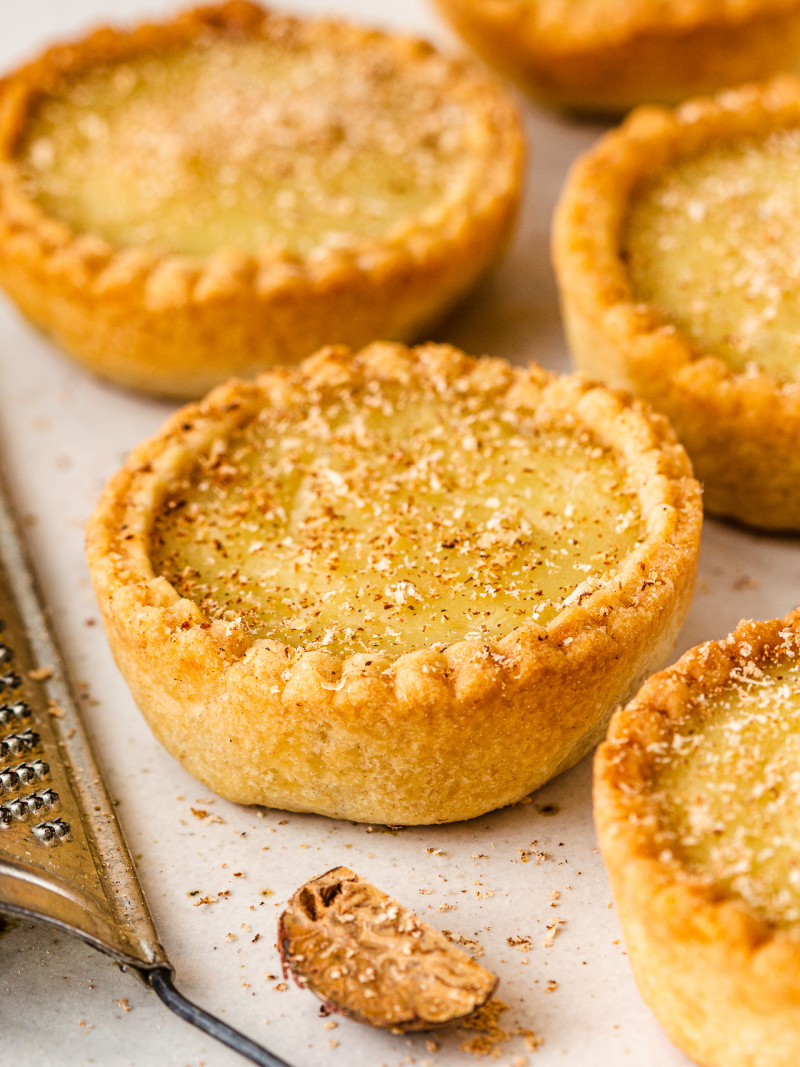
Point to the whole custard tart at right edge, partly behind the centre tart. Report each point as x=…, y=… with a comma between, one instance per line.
x=678, y=252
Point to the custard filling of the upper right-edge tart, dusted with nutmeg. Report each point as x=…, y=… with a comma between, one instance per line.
x=714, y=246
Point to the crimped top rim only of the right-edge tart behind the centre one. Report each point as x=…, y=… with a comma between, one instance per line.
x=588, y=229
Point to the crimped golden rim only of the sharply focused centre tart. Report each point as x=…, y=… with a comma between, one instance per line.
x=135, y=600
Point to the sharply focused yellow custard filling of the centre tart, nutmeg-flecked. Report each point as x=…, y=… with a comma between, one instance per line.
x=390, y=519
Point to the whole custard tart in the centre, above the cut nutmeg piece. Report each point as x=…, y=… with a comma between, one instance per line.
x=397, y=586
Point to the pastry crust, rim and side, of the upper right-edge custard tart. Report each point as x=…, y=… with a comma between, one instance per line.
x=741, y=429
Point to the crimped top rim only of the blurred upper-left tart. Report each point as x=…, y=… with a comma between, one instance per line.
x=171, y=279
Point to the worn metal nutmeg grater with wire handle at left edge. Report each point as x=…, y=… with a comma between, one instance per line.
x=63, y=859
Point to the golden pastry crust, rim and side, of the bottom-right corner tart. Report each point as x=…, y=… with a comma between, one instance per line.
x=723, y=978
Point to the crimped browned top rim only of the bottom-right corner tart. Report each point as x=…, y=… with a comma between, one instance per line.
x=628, y=816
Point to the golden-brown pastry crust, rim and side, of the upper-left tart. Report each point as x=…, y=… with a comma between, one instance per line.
x=178, y=326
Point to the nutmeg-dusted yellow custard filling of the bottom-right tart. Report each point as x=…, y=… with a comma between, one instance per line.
x=730, y=791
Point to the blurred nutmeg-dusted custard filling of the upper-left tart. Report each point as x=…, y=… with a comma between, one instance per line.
x=249, y=144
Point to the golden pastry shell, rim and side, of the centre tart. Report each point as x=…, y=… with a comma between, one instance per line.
x=434, y=732
